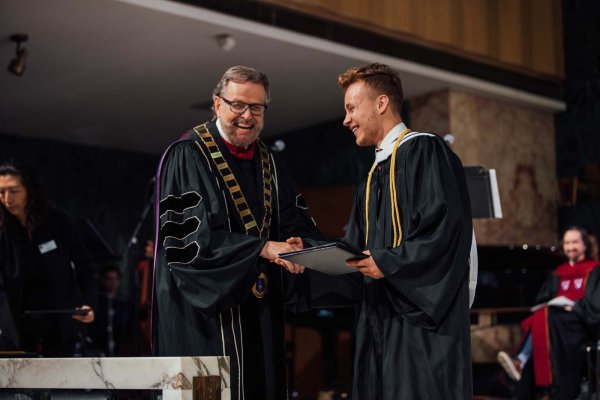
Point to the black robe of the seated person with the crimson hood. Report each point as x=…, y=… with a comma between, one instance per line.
x=569, y=334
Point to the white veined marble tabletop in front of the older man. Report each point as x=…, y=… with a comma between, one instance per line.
x=174, y=376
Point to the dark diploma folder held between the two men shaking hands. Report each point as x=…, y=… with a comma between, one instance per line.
x=328, y=258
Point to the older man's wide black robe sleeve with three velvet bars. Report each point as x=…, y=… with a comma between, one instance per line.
x=211, y=267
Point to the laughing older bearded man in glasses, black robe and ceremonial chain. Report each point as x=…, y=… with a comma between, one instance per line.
x=225, y=203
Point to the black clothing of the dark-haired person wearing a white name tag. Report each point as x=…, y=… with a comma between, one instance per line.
x=67, y=281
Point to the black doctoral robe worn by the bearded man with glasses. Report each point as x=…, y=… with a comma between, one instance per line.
x=203, y=299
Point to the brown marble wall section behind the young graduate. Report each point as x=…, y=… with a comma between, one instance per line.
x=518, y=143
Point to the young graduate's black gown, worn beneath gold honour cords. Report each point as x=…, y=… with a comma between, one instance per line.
x=413, y=333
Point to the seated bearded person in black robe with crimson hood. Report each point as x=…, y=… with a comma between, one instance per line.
x=551, y=360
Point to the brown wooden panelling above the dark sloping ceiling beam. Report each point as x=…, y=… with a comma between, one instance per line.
x=521, y=34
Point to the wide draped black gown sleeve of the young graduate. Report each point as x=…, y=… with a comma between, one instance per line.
x=424, y=274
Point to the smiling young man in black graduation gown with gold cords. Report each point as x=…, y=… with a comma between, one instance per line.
x=412, y=215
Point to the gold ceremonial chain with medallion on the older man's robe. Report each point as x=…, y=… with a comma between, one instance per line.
x=237, y=196
